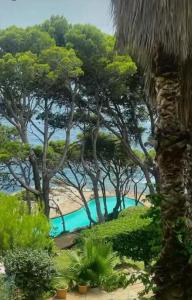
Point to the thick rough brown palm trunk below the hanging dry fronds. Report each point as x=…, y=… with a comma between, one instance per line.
x=173, y=262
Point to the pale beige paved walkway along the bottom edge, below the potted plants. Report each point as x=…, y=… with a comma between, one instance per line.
x=130, y=293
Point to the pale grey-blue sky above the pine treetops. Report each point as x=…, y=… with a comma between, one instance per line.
x=29, y=12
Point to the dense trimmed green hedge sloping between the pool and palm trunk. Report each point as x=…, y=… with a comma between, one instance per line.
x=130, y=234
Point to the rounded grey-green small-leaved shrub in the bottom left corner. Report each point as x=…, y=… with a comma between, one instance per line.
x=32, y=271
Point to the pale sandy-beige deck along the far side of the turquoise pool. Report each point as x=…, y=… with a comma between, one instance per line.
x=69, y=201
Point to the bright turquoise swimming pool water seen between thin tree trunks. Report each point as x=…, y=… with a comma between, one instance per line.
x=78, y=219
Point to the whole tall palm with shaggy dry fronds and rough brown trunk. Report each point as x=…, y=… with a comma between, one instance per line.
x=158, y=33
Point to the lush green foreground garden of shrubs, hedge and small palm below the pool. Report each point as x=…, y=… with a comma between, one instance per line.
x=108, y=256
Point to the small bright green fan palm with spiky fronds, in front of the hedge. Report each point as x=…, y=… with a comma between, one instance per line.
x=94, y=261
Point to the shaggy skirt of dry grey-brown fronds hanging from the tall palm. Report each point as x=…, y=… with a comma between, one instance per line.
x=143, y=24
